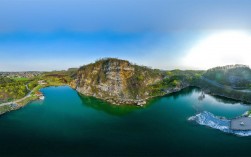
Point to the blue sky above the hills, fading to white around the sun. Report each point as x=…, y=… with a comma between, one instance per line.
x=47, y=35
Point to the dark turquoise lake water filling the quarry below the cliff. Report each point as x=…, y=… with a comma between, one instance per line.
x=67, y=124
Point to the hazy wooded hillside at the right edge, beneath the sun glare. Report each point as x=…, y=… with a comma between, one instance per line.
x=231, y=81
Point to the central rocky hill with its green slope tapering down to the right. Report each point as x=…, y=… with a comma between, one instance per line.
x=120, y=82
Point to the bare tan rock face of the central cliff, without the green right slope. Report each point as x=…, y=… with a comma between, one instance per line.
x=116, y=81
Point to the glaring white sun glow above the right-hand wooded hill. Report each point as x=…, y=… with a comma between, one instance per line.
x=229, y=47
